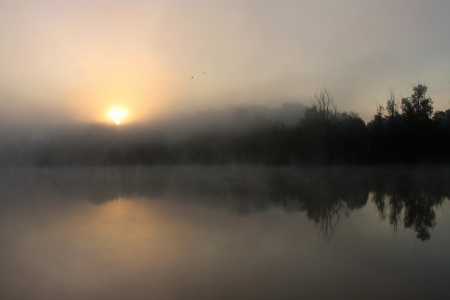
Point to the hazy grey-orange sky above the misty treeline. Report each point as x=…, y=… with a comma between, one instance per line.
x=73, y=61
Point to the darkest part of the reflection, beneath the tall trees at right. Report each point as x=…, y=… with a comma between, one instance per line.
x=398, y=193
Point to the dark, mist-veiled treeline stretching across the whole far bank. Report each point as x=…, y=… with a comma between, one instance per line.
x=405, y=132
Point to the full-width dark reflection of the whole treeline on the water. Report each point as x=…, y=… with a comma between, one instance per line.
x=326, y=195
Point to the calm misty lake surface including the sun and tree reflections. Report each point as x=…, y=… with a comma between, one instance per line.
x=225, y=233
